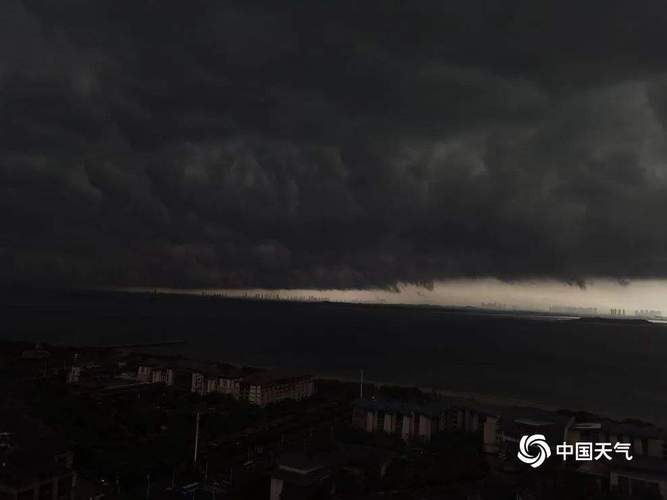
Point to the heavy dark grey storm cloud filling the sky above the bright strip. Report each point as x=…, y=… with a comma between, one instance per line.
x=331, y=144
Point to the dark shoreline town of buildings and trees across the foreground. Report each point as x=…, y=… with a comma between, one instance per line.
x=123, y=422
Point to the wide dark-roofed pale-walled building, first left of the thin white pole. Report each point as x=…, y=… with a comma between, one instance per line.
x=271, y=386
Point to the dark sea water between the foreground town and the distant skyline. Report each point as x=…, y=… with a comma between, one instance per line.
x=614, y=368
